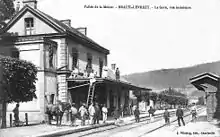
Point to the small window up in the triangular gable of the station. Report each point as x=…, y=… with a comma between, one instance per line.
x=29, y=26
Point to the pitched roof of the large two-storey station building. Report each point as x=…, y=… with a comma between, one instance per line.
x=58, y=25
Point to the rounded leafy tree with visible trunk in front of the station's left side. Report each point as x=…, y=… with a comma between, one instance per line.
x=18, y=82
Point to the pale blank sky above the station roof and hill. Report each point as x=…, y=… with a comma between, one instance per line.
x=144, y=40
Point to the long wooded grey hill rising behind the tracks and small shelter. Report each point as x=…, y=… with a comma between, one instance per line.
x=175, y=78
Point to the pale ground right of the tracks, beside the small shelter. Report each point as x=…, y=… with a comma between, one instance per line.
x=200, y=128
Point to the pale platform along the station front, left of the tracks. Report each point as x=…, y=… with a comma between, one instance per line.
x=44, y=129
